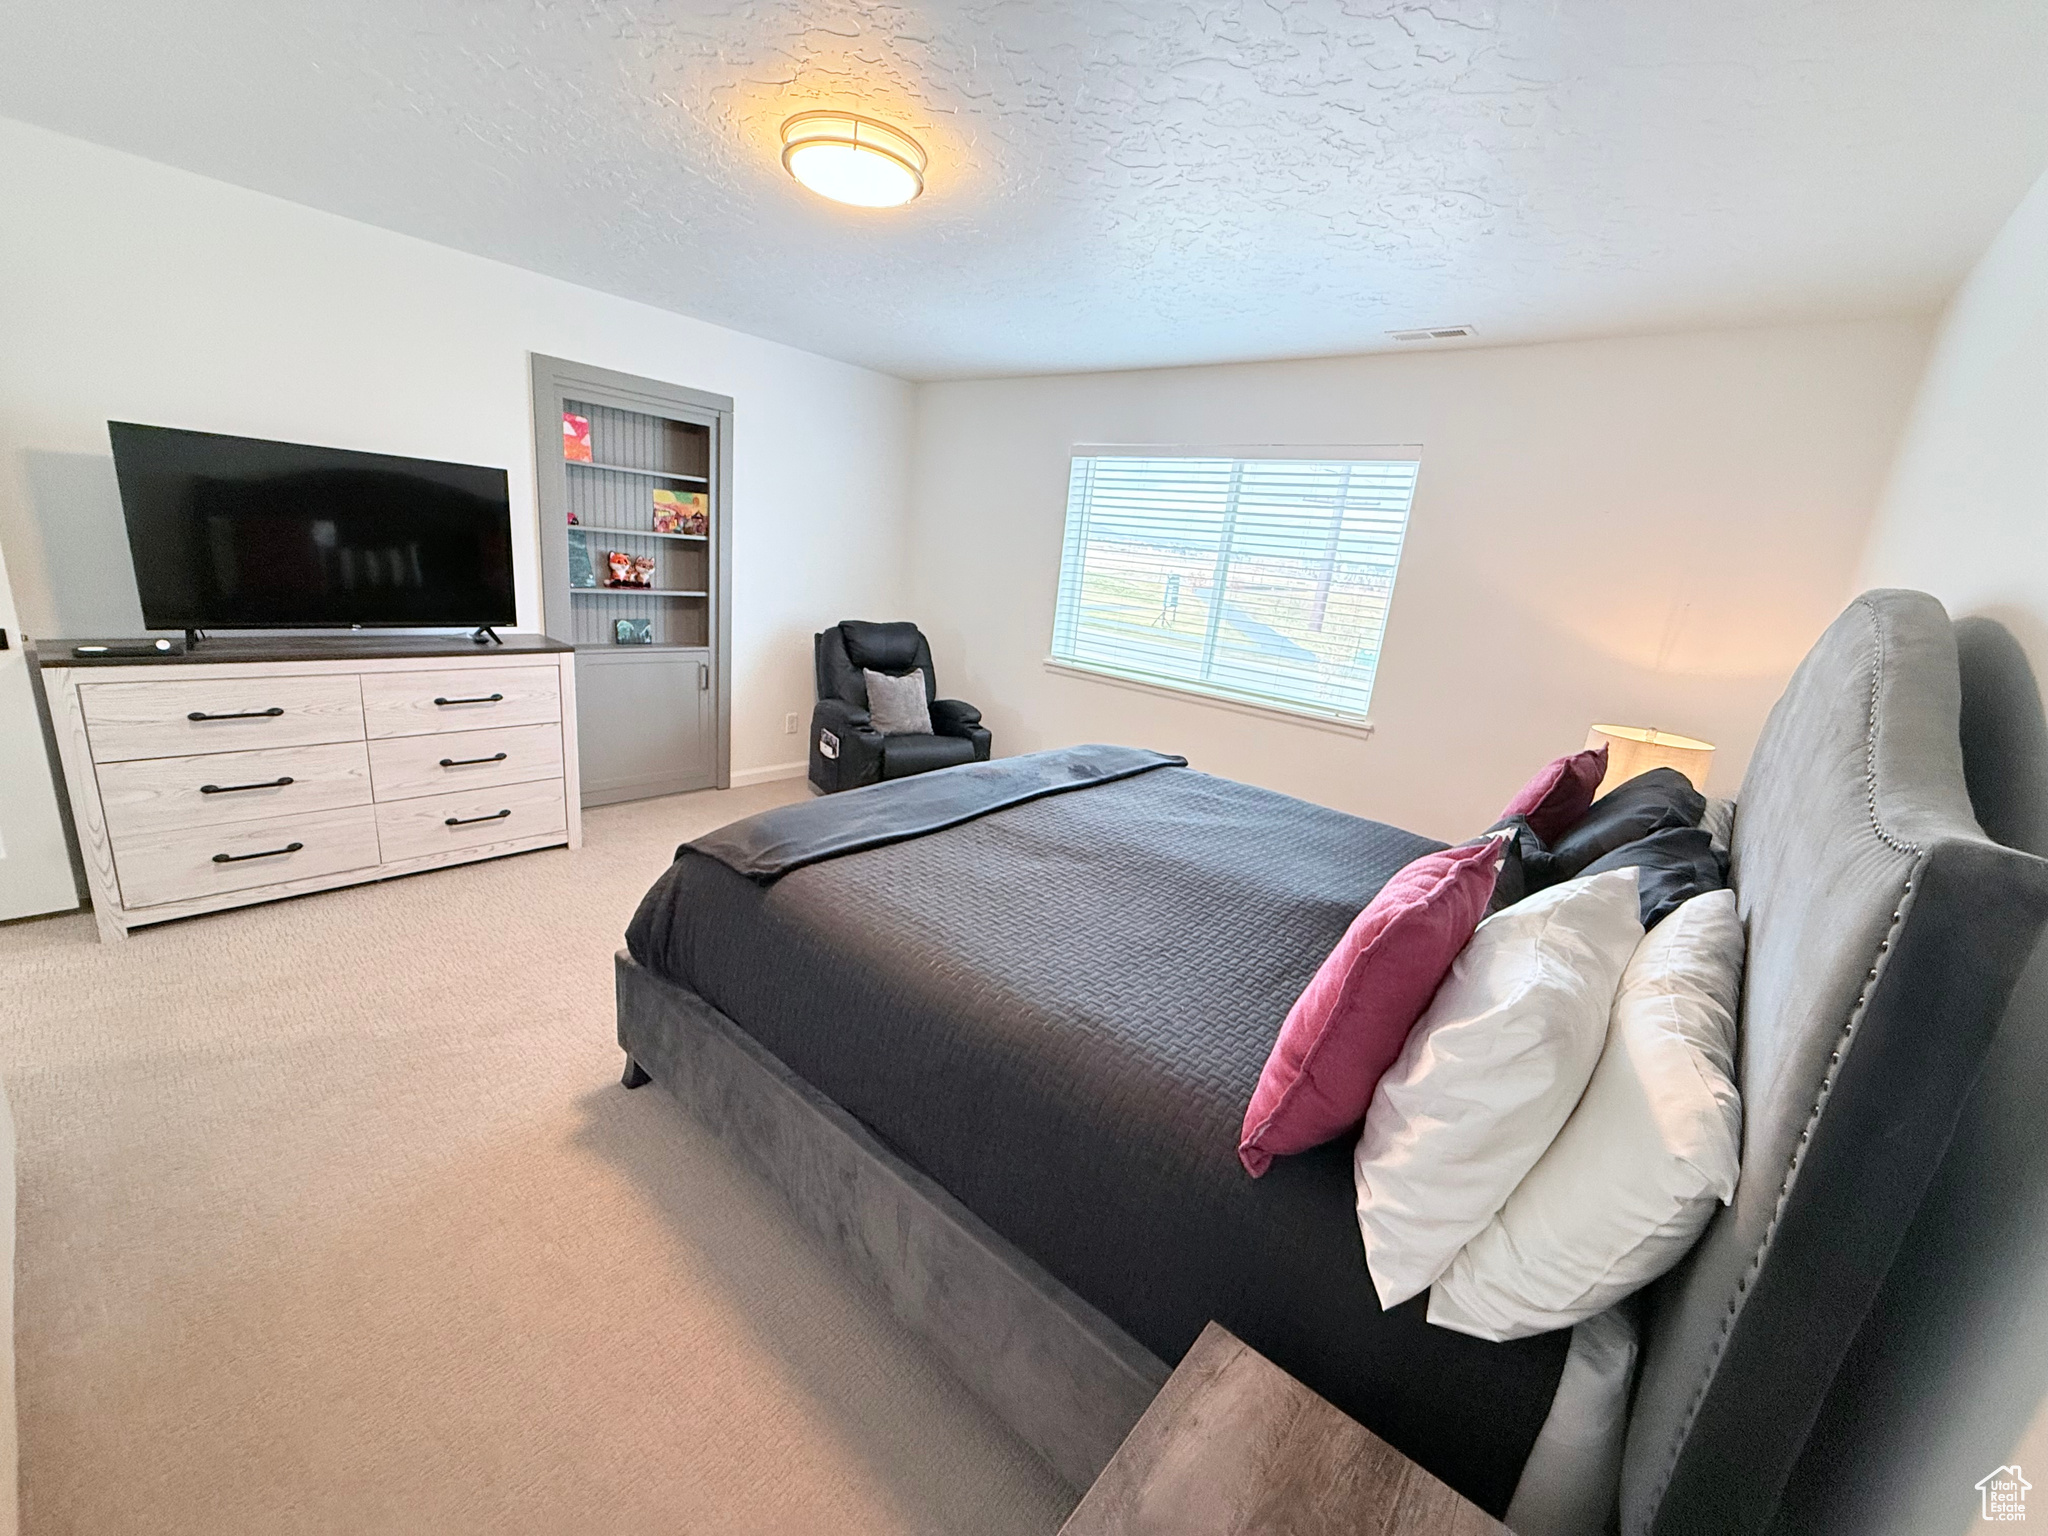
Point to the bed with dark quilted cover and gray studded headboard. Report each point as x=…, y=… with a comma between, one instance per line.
x=998, y=1054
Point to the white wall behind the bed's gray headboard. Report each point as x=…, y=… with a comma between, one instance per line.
x=1957, y=1388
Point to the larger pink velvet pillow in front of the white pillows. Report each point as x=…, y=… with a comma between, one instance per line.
x=1355, y=1017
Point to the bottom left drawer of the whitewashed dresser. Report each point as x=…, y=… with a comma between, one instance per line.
x=179, y=865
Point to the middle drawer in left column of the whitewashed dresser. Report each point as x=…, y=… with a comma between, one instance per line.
x=220, y=787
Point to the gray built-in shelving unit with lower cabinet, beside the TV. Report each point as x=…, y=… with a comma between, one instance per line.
x=644, y=439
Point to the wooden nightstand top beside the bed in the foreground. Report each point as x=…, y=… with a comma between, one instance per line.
x=1236, y=1447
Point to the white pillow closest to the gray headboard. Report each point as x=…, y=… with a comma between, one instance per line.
x=1639, y=1168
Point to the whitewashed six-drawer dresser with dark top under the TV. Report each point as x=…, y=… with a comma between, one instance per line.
x=259, y=769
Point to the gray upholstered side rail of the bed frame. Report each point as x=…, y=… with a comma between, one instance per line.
x=1054, y=1369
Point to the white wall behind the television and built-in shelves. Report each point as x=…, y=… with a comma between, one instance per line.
x=136, y=292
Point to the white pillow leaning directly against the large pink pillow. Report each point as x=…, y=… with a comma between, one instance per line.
x=1490, y=1074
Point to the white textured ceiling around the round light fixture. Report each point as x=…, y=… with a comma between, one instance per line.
x=1113, y=183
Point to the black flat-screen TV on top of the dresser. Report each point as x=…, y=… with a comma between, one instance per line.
x=241, y=534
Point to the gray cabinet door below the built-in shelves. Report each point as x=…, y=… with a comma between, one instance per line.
x=646, y=724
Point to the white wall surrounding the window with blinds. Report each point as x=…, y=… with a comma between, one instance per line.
x=1646, y=531
